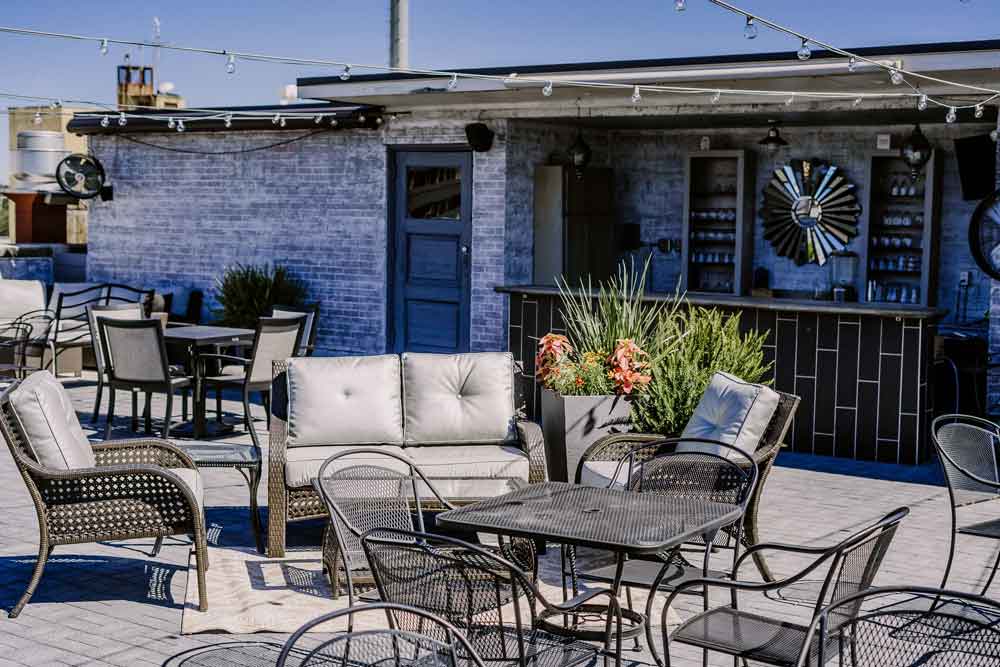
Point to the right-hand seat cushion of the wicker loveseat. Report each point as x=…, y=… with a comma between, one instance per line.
x=472, y=472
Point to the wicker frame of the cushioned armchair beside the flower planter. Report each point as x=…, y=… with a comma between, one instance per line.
x=614, y=448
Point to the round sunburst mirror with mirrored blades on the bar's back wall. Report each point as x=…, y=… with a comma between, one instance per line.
x=810, y=211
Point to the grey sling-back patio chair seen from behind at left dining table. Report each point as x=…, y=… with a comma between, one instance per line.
x=135, y=358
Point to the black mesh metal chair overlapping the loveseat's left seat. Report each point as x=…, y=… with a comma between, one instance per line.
x=369, y=488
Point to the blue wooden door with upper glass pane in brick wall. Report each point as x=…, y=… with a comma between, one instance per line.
x=432, y=235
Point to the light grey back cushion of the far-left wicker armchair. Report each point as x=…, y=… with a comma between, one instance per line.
x=46, y=414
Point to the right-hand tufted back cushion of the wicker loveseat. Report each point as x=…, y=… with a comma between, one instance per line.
x=458, y=398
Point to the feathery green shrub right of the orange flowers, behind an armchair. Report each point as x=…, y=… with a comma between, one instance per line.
x=702, y=341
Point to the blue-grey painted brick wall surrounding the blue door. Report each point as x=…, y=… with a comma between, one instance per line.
x=317, y=206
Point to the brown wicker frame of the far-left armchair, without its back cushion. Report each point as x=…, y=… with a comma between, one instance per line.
x=135, y=489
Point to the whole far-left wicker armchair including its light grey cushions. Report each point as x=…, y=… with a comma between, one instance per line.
x=86, y=493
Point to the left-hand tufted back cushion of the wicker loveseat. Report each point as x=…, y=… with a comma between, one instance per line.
x=344, y=401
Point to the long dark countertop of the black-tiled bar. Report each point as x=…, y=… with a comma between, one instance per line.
x=767, y=303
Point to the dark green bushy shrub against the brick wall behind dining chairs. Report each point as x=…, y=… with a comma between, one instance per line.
x=247, y=293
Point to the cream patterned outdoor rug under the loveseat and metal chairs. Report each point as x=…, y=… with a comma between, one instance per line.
x=249, y=592
